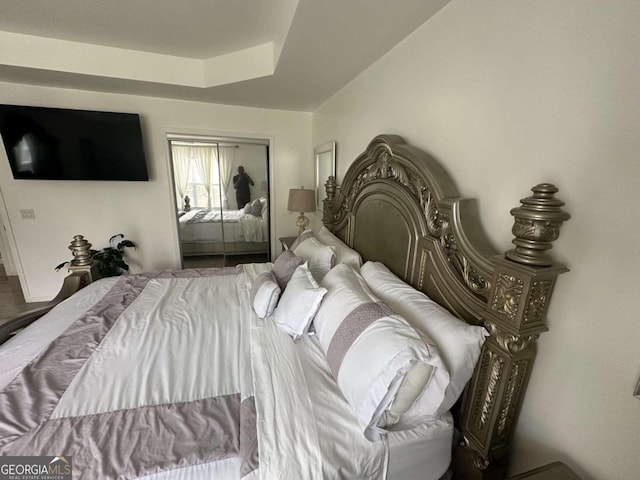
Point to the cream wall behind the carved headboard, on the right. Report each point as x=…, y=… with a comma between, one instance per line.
x=508, y=94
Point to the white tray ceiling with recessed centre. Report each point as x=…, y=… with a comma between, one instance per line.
x=284, y=54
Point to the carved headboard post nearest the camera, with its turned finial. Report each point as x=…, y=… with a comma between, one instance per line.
x=515, y=312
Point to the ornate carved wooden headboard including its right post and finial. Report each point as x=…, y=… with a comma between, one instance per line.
x=397, y=205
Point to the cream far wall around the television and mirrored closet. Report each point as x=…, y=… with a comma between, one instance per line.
x=143, y=211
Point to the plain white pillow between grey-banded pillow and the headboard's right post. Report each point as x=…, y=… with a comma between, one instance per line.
x=459, y=343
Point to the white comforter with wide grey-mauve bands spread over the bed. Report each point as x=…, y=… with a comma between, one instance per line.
x=158, y=383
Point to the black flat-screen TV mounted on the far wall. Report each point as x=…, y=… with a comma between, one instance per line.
x=61, y=144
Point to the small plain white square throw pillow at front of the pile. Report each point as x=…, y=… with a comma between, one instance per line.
x=299, y=303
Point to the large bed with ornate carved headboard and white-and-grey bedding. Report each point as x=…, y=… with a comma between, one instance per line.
x=174, y=375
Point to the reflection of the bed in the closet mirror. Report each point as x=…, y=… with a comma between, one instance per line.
x=213, y=232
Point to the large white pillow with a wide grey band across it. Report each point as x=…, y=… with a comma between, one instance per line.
x=383, y=366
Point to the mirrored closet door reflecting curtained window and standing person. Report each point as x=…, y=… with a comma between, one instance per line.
x=221, y=198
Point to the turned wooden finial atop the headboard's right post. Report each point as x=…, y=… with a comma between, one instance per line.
x=537, y=224
